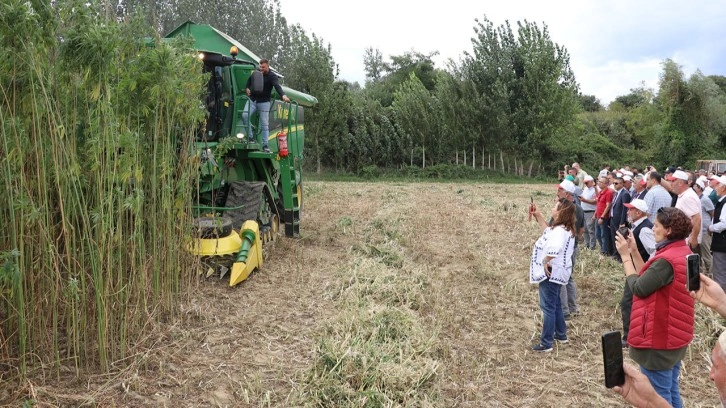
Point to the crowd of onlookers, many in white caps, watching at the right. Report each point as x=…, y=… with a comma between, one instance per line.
x=649, y=222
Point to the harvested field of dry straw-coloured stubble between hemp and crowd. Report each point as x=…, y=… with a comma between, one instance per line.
x=396, y=295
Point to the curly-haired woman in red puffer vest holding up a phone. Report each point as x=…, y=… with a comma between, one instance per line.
x=661, y=323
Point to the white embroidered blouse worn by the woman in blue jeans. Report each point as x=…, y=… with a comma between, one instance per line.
x=558, y=243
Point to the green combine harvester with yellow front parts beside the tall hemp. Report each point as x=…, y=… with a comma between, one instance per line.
x=244, y=194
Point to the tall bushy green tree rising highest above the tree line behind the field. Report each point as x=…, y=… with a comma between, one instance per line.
x=529, y=93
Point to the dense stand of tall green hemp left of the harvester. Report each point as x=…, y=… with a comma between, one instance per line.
x=97, y=130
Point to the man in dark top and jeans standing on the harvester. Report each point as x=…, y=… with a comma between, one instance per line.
x=259, y=90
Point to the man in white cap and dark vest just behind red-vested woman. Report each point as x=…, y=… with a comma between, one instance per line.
x=642, y=230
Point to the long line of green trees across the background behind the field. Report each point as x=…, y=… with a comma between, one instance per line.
x=514, y=96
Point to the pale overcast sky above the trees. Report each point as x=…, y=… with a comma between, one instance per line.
x=614, y=45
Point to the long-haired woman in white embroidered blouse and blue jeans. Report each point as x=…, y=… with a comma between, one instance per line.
x=551, y=267
